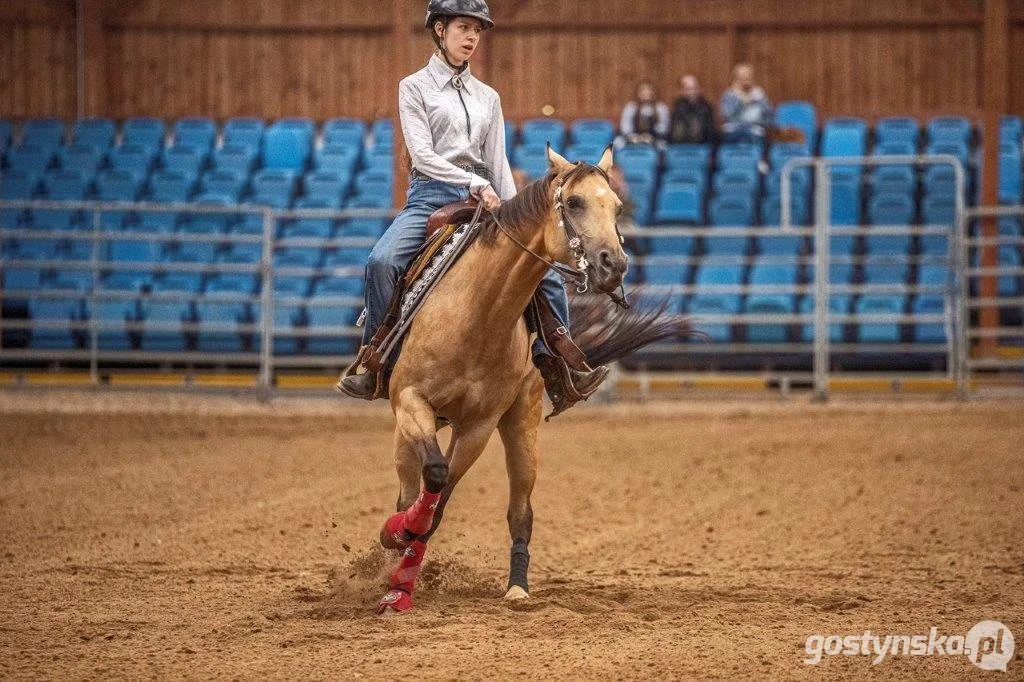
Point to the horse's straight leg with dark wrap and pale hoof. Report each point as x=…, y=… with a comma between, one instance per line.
x=519, y=431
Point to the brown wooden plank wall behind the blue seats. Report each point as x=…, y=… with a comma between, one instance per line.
x=333, y=58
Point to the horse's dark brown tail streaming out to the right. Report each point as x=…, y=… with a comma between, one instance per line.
x=607, y=332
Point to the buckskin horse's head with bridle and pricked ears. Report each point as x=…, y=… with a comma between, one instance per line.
x=584, y=225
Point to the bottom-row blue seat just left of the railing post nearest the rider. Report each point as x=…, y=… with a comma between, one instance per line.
x=227, y=314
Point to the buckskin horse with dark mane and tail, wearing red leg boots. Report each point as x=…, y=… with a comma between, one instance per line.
x=466, y=359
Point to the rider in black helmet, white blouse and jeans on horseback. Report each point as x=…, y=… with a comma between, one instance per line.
x=455, y=134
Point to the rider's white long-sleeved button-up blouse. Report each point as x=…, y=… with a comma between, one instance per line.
x=434, y=122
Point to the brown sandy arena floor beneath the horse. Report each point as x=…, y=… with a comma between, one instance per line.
x=169, y=537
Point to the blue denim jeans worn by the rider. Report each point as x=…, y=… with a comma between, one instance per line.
x=400, y=243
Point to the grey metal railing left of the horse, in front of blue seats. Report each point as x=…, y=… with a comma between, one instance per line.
x=263, y=303
